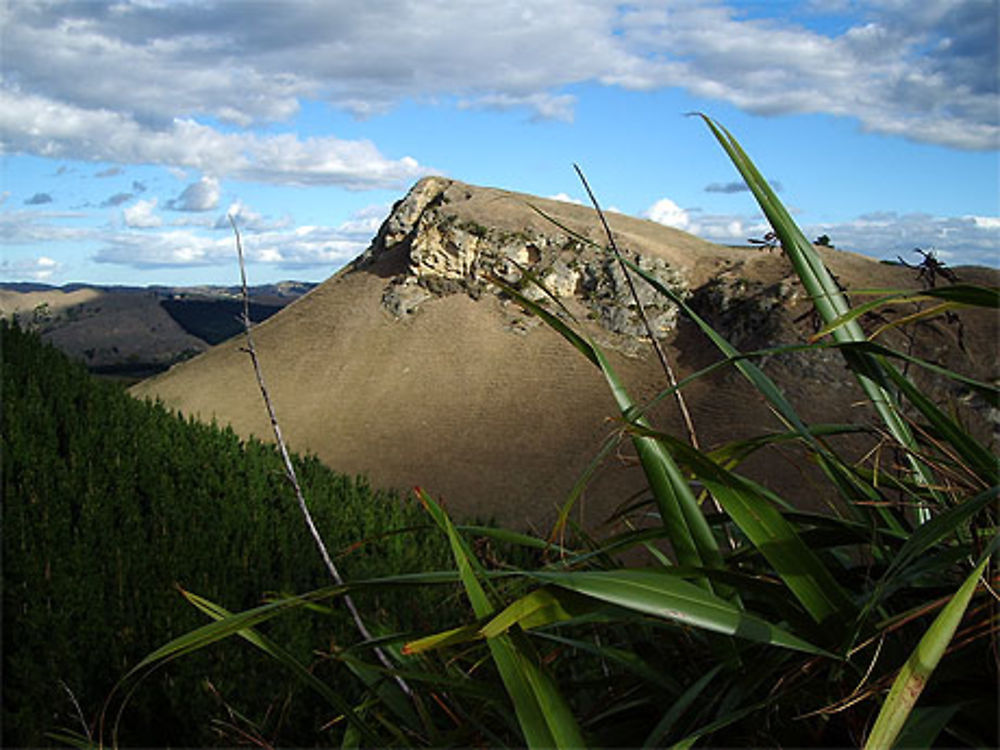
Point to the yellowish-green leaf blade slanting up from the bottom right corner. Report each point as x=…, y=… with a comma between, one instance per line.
x=913, y=676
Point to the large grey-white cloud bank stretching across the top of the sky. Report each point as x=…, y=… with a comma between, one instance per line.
x=151, y=73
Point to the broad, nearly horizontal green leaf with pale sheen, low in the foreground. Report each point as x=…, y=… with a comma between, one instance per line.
x=666, y=596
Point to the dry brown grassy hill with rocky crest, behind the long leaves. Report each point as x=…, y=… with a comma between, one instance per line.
x=463, y=396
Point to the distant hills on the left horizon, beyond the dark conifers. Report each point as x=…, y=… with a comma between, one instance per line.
x=136, y=331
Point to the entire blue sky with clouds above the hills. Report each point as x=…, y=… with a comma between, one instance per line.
x=130, y=129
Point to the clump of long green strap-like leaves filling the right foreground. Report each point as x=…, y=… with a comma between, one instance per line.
x=872, y=627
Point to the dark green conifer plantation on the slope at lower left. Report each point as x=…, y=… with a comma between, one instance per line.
x=110, y=503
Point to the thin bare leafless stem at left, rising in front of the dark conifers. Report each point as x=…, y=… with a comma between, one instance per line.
x=290, y=474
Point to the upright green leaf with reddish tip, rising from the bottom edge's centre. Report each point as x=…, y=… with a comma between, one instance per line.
x=542, y=712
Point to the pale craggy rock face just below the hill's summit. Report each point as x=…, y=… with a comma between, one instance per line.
x=447, y=251
